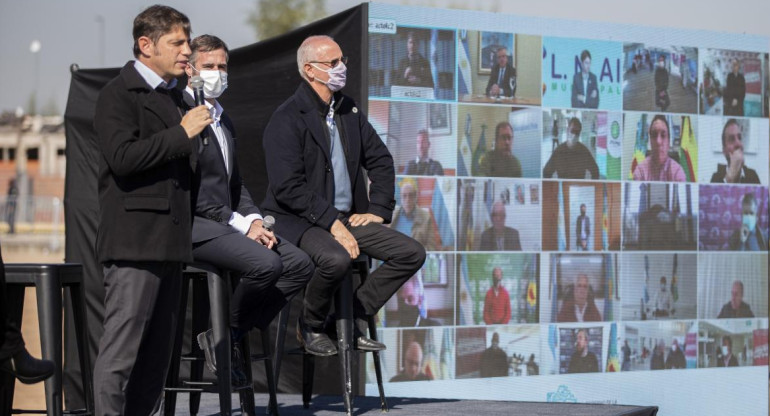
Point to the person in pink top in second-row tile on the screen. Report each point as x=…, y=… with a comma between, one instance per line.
x=658, y=166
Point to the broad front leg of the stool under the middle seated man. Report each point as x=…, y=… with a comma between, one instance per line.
x=219, y=297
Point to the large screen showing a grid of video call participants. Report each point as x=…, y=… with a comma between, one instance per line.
x=626, y=285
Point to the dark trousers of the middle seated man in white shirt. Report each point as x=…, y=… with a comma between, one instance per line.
x=269, y=278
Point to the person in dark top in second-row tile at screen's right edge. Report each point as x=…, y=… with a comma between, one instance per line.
x=735, y=171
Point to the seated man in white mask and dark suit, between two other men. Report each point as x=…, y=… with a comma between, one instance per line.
x=228, y=229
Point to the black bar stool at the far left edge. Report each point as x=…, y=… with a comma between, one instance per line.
x=49, y=280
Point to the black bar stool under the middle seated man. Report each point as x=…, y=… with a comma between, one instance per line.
x=218, y=283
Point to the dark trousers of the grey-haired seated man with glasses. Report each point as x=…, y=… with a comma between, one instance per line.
x=402, y=257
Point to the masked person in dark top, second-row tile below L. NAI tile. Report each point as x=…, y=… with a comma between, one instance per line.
x=571, y=159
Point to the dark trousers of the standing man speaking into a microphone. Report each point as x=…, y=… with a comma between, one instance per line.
x=141, y=305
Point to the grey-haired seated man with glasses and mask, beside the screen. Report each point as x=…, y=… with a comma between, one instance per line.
x=317, y=145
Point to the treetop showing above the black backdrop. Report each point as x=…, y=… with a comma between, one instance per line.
x=276, y=17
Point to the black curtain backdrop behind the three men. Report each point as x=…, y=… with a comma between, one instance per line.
x=261, y=77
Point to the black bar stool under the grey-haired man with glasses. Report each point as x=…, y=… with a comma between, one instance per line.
x=343, y=304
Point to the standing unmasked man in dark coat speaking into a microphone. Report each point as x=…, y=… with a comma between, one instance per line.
x=147, y=150
